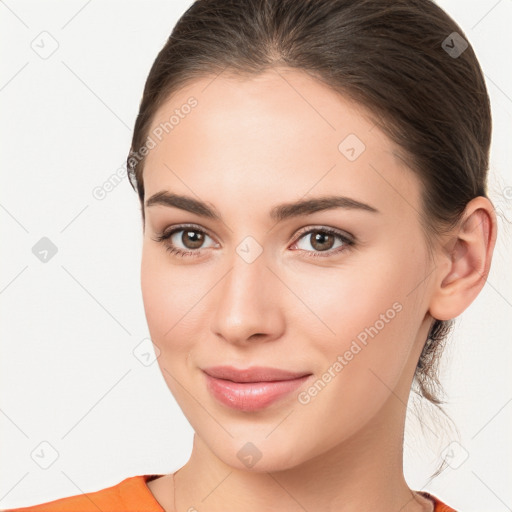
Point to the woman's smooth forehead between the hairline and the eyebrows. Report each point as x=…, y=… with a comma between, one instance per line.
x=279, y=129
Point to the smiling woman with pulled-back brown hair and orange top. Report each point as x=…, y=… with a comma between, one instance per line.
x=312, y=180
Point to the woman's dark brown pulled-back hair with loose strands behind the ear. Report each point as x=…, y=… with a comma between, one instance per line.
x=399, y=59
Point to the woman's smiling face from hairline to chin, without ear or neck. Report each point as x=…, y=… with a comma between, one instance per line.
x=265, y=285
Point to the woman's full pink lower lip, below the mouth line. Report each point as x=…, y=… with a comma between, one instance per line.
x=251, y=396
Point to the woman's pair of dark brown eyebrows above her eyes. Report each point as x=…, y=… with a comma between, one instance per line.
x=277, y=213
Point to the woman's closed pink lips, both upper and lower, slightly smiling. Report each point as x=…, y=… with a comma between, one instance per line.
x=251, y=389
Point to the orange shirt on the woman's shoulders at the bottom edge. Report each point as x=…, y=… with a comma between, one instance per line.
x=130, y=495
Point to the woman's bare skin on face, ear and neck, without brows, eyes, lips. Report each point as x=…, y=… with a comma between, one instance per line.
x=247, y=146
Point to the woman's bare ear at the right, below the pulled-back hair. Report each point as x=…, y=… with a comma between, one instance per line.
x=464, y=261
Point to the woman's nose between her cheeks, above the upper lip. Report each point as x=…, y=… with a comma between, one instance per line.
x=247, y=303
